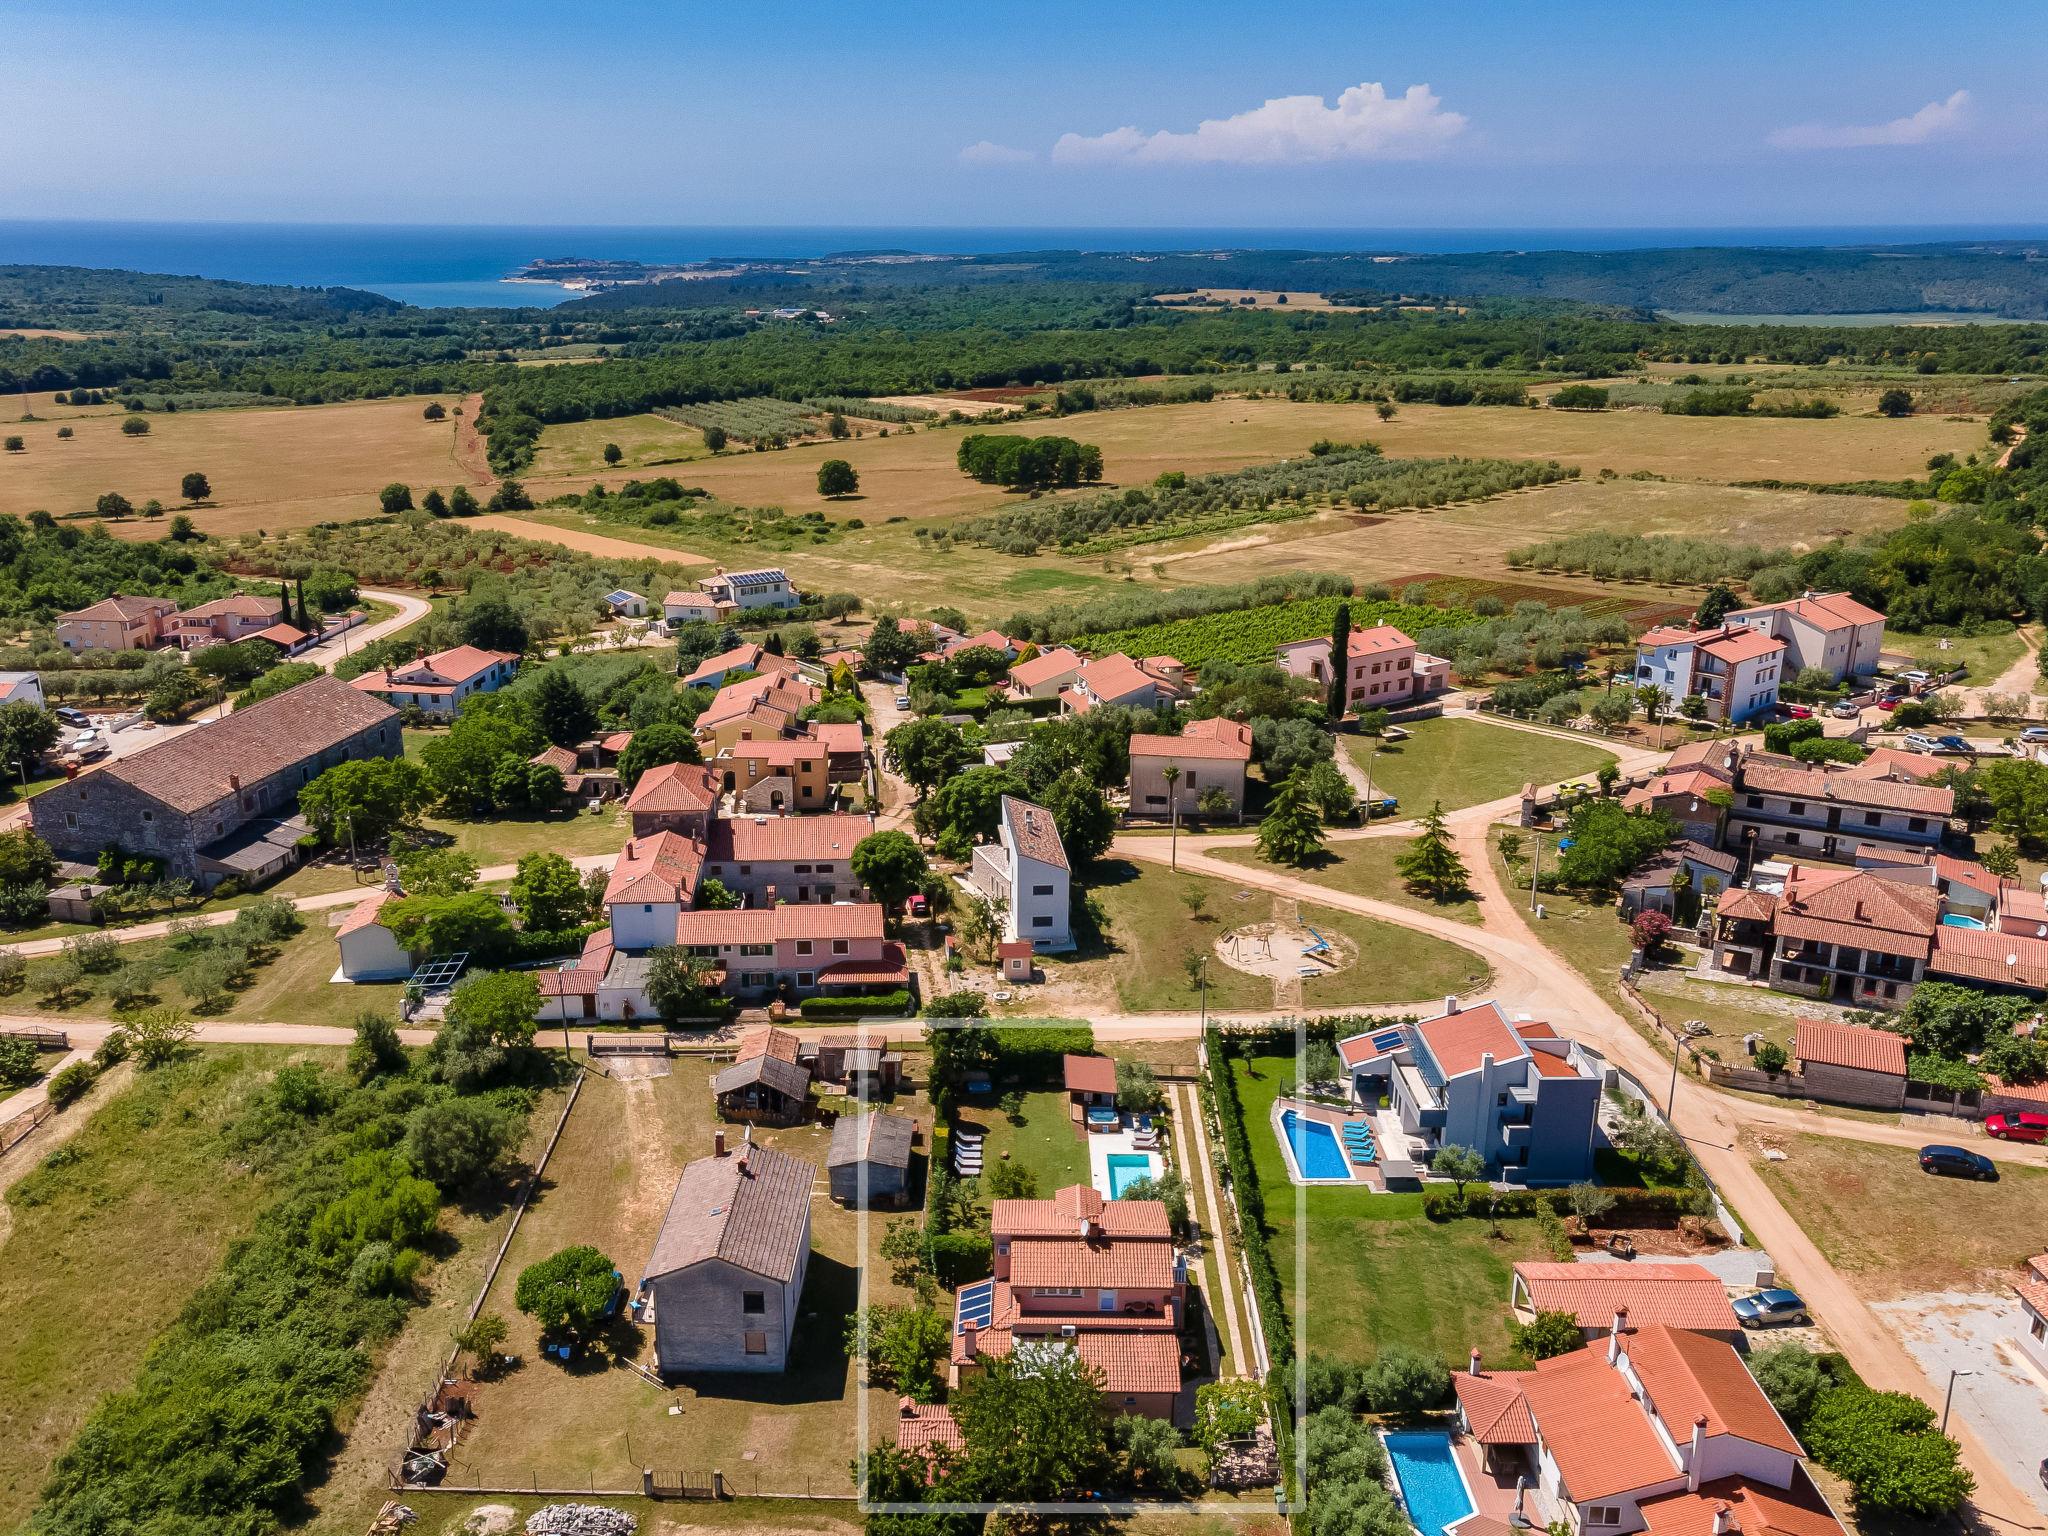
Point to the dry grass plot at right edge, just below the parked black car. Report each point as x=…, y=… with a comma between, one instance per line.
x=1897, y=1232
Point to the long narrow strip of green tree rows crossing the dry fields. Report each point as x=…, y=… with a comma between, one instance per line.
x=1177, y=507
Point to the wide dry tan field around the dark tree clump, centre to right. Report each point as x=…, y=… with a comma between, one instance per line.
x=916, y=476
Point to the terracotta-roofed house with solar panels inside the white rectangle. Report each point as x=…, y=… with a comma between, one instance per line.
x=1078, y=1273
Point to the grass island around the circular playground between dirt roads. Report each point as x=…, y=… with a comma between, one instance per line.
x=1152, y=935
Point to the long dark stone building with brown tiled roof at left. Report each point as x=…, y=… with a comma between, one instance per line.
x=224, y=798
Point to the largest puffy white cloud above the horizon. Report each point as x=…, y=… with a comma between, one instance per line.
x=1365, y=124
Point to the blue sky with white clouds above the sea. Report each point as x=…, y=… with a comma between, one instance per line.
x=1345, y=116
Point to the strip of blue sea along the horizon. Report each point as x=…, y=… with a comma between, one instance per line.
x=468, y=265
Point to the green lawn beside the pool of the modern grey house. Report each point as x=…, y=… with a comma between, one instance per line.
x=1377, y=1271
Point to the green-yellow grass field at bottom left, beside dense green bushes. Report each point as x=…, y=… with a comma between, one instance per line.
x=105, y=1240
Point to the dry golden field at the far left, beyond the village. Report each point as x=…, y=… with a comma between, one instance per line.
x=269, y=468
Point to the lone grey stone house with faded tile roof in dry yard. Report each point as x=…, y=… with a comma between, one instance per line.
x=728, y=1267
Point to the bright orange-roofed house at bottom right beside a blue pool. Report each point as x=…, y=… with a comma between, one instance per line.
x=1658, y=1431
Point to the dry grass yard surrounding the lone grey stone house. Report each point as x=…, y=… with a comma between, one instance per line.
x=609, y=1185
